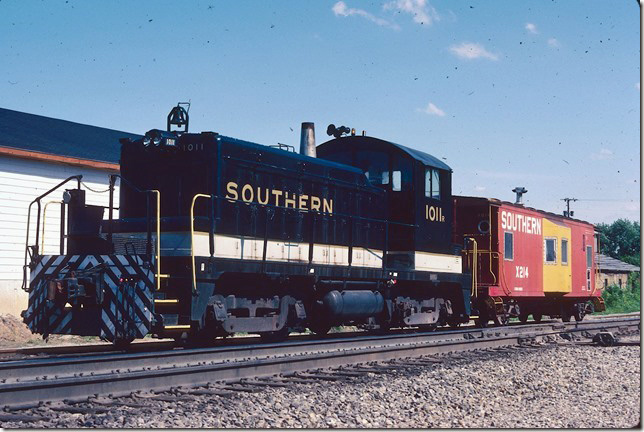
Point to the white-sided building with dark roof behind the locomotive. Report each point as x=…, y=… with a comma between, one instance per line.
x=37, y=153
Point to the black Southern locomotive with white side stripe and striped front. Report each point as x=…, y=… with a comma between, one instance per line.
x=216, y=236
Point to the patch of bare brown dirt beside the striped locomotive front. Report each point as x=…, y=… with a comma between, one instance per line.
x=14, y=333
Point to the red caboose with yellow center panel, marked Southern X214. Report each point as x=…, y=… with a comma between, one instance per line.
x=525, y=261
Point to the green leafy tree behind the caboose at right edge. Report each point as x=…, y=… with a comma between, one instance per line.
x=621, y=240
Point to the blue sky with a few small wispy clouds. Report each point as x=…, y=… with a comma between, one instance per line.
x=541, y=94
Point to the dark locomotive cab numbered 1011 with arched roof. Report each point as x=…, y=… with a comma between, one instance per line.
x=418, y=192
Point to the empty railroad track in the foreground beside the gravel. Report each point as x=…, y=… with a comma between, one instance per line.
x=27, y=383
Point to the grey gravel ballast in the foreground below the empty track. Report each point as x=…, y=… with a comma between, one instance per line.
x=570, y=386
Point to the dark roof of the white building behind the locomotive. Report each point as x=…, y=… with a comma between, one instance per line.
x=30, y=135
